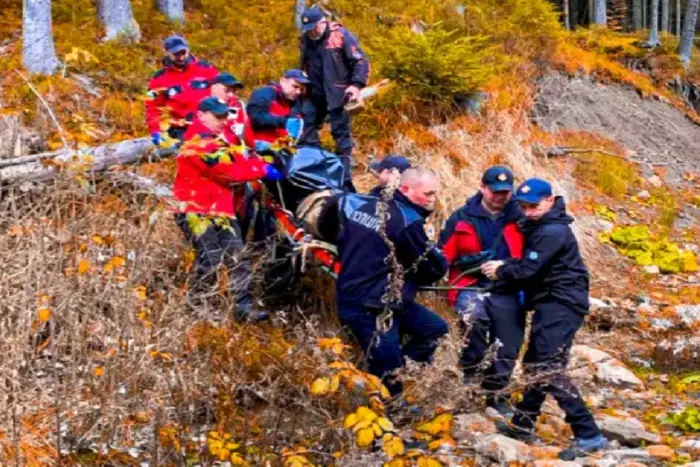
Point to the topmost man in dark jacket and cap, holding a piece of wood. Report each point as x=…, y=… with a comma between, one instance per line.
x=338, y=69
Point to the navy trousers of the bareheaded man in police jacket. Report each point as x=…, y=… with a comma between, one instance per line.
x=384, y=352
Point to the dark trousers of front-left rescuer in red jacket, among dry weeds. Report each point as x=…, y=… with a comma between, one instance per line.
x=220, y=246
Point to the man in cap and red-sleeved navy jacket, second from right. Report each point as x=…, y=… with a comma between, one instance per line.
x=486, y=228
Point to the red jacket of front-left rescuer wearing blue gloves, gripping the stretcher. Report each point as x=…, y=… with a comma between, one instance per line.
x=208, y=169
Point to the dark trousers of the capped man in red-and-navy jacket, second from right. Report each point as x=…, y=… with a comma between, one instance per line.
x=493, y=317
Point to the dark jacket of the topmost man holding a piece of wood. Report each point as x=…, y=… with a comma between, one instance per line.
x=333, y=62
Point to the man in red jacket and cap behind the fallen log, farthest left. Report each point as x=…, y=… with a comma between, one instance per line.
x=178, y=87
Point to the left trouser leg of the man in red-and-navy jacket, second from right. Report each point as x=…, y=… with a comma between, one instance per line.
x=470, y=307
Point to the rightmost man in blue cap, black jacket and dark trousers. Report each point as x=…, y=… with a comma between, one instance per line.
x=555, y=281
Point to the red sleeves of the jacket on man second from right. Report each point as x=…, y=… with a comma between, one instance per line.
x=461, y=238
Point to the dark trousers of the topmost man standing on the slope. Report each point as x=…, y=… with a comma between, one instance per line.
x=315, y=110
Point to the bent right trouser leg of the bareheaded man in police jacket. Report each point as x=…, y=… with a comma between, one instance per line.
x=424, y=328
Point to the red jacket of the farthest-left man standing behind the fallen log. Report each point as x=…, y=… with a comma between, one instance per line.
x=178, y=90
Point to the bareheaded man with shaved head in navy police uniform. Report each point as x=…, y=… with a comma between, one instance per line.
x=364, y=276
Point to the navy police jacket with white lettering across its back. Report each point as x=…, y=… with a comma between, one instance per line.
x=364, y=274
